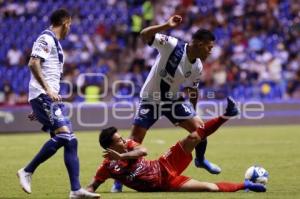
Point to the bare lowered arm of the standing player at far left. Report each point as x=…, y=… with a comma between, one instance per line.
x=35, y=67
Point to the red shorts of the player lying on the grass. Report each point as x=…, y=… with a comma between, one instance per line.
x=174, y=162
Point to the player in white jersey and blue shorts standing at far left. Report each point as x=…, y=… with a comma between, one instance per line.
x=46, y=65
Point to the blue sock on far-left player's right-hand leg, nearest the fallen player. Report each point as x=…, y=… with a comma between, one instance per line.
x=72, y=163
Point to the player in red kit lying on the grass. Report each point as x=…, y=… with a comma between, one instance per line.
x=124, y=161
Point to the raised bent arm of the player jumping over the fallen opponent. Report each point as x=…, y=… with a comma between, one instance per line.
x=148, y=33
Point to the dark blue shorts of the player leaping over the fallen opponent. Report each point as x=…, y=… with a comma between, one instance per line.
x=176, y=111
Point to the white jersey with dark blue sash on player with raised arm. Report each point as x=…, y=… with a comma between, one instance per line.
x=171, y=70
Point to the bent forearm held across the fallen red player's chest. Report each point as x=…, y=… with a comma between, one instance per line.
x=136, y=153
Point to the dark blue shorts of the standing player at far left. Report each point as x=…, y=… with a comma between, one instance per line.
x=49, y=113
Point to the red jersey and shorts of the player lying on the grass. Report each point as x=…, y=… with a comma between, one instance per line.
x=147, y=175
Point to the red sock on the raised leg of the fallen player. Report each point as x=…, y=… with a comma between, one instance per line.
x=210, y=127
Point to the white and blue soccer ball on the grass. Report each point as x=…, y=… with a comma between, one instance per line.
x=257, y=174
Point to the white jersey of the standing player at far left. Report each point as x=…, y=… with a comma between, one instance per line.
x=49, y=50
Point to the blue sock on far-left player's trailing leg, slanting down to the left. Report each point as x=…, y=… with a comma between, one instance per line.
x=48, y=150
